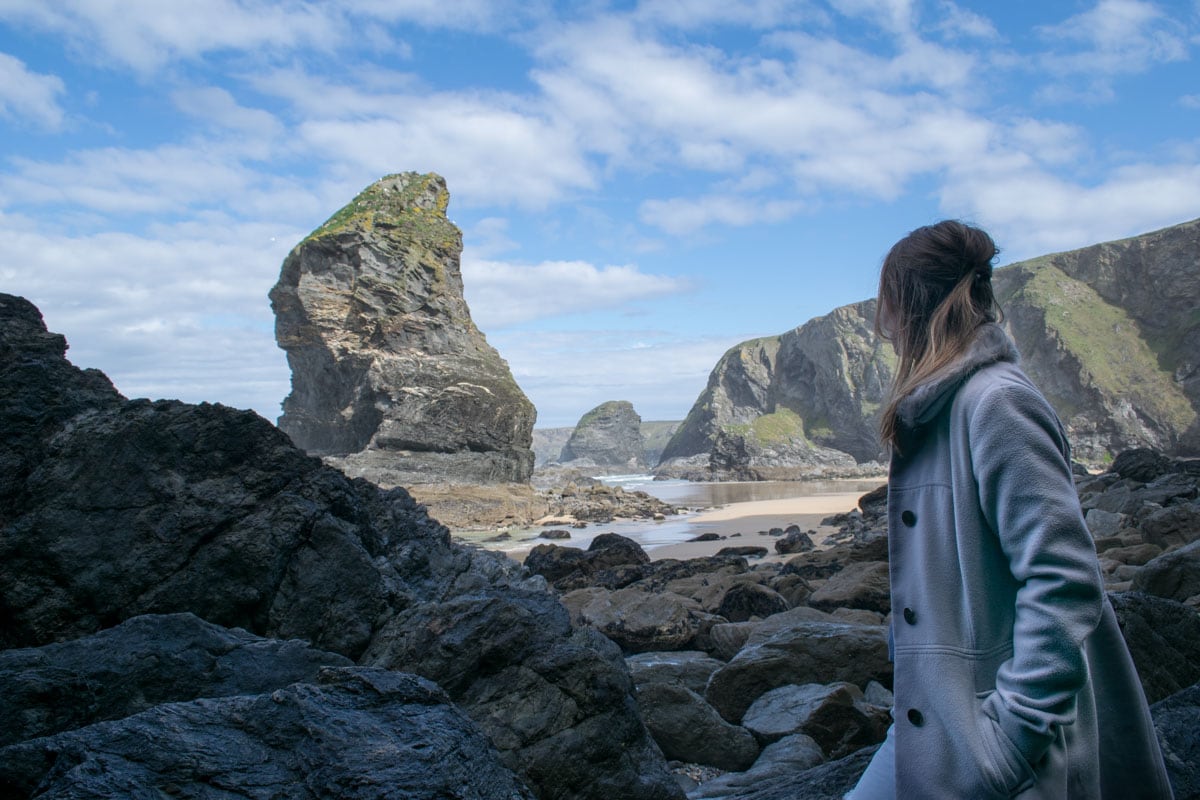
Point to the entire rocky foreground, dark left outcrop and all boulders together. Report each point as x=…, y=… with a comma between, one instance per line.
x=191, y=606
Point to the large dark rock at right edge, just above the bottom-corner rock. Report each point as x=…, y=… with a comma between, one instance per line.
x=1165, y=641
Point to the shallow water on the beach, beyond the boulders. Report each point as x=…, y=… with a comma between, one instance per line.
x=685, y=496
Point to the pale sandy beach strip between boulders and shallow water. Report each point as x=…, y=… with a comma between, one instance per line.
x=739, y=525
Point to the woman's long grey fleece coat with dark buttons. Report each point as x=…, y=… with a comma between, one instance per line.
x=1012, y=679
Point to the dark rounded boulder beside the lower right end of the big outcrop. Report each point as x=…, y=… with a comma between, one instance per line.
x=687, y=729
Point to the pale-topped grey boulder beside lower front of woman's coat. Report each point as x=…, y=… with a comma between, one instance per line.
x=835, y=715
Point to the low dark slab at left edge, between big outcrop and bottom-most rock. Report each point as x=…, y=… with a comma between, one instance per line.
x=141, y=664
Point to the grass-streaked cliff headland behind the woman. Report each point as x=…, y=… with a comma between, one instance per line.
x=1109, y=333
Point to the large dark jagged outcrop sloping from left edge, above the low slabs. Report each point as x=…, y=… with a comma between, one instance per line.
x=136, y=508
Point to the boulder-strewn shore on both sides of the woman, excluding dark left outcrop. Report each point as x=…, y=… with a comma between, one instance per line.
x=770, y=682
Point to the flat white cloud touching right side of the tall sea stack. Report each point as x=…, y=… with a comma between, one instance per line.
x=503, y=294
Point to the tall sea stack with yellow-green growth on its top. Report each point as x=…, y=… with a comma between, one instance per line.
x=391, y=377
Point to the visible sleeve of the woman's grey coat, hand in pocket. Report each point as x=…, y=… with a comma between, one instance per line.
x=1022, y=464
